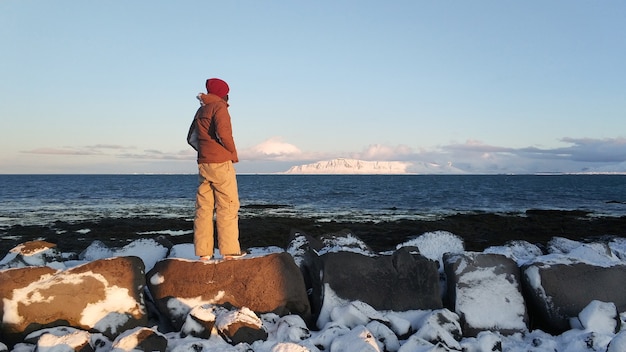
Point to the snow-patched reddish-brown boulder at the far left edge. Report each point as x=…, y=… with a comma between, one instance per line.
x=104, y=295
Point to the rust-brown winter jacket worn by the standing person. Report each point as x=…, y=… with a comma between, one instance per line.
x=215, y=133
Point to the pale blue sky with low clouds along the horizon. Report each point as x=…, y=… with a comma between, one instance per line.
x=491, y=86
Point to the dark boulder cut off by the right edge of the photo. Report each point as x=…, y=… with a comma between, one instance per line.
x=558, y=292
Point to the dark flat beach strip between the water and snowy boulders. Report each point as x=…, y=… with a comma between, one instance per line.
x=478, y=230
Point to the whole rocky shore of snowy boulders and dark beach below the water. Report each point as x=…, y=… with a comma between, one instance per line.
x=503, y=298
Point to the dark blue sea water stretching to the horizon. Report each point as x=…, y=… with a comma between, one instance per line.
x=43, y=199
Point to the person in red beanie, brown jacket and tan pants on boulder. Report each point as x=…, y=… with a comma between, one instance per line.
x=211, y=136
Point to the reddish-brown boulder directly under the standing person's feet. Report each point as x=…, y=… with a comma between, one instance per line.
x=271, y=283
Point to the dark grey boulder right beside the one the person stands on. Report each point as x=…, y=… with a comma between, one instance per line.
x=399, y=282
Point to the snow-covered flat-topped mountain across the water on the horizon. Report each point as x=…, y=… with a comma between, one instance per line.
x=354, y=166
